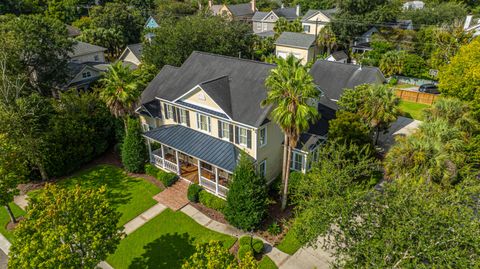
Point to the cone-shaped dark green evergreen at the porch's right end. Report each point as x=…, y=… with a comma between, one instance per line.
x=247, y=199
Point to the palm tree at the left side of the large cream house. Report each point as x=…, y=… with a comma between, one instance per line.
x=121, y=90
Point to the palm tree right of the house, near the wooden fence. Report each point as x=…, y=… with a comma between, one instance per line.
x=380, y=108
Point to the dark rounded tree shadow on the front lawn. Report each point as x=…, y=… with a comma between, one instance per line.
x=168, y=251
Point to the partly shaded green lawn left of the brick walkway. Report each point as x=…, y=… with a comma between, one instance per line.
x=131, y=196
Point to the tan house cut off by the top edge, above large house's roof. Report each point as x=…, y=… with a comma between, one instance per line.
x=238, y=12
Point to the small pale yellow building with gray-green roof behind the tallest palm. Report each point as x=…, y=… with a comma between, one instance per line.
x=300, y=45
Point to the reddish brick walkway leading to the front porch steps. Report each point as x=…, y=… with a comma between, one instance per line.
x=175, y=196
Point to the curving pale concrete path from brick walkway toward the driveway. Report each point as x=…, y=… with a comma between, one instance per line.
x=273, y=253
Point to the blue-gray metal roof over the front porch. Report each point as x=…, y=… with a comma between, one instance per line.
x=202, y=146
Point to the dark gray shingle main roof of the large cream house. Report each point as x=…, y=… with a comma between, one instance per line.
x=246, y=84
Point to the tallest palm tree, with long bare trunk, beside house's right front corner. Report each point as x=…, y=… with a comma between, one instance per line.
x=290, y=91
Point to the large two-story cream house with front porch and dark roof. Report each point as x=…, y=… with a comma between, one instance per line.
x=202, y=115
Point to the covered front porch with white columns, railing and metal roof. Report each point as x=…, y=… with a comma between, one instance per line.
x=197, y=157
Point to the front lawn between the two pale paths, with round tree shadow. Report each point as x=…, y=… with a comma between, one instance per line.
x=164, y=242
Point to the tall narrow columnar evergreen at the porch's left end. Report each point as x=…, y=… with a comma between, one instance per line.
x=133, y=148
